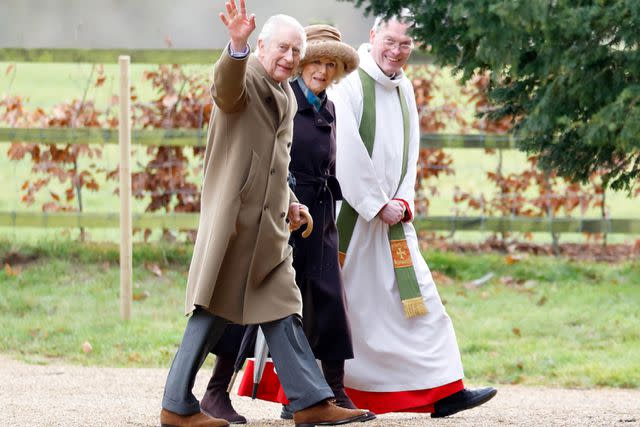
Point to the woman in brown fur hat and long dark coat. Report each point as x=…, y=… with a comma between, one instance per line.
x=313, y=157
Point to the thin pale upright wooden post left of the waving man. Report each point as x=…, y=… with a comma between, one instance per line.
x=126, y=263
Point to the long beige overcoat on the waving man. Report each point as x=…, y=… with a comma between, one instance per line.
x=241, y=268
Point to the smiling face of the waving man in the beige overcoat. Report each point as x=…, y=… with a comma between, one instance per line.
x=281, y=56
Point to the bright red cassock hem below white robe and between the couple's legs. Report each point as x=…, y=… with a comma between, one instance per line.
x=378, y=402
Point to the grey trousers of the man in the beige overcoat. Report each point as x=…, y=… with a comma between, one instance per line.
x=299, y=374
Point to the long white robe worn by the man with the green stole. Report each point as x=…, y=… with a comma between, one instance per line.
x=392, y=352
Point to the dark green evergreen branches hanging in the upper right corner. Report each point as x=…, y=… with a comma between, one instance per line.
x=567, y=72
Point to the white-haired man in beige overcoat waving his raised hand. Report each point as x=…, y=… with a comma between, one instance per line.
x=241, y=269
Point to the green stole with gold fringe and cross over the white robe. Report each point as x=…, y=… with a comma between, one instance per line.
x=410, y=296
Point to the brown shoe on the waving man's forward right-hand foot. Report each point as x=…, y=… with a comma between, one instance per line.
x=327, y=413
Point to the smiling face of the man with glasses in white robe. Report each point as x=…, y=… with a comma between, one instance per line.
x=391, y=46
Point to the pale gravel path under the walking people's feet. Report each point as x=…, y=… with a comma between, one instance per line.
x=63, y=395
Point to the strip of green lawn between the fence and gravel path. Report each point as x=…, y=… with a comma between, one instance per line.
x=555, y=322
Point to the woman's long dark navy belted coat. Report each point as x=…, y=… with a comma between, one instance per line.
x=315, y=259
